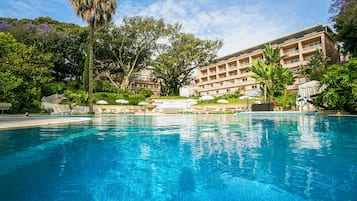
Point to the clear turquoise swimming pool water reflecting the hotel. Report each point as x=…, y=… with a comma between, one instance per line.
x=183, y=157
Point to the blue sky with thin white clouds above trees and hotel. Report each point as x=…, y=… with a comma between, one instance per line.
x=239, y=23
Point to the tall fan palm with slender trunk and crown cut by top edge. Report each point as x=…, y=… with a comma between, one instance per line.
x=96, y=13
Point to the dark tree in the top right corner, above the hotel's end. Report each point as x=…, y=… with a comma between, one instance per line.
x=345, y=24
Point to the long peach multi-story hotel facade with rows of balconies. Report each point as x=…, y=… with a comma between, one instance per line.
x=231, y=73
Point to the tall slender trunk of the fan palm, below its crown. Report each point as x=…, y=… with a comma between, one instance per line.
x=90, y=69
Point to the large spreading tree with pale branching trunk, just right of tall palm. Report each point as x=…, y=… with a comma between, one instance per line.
x=128, y=48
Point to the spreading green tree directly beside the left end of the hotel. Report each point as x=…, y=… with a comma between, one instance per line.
x=177, y=59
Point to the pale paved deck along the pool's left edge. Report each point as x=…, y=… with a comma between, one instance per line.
x=12, y=122
